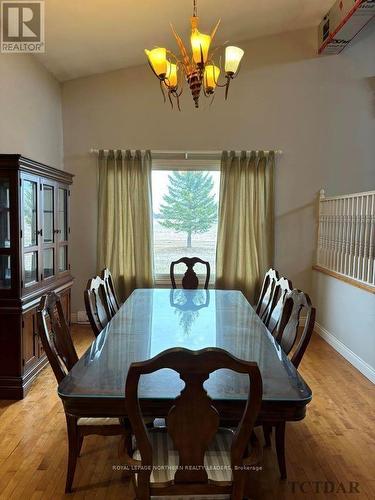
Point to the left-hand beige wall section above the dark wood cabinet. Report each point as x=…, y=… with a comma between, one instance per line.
x=30, y=107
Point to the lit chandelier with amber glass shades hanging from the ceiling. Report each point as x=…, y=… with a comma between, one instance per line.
x=198, y=69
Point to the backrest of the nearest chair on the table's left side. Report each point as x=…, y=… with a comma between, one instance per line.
x=55, y=335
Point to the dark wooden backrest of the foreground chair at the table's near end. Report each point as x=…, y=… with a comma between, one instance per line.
x=193, y=420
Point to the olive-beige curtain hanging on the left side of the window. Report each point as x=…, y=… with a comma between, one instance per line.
x=125, y=219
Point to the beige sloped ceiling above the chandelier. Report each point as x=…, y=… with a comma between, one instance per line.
x=84, y=37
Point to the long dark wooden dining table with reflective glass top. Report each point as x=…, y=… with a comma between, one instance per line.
x=152, y=320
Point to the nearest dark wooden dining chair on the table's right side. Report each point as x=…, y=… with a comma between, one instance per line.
x=295, y=304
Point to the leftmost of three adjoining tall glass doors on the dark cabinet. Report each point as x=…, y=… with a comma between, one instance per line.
x=30, y=230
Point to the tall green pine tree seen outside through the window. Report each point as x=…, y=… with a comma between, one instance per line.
x=189, y=206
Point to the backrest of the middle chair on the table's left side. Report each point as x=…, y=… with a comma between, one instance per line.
x=97, y=307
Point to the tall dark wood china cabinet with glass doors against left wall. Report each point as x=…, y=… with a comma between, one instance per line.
x=34, y=259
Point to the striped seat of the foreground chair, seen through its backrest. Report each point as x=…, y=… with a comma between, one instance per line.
x=165, y=458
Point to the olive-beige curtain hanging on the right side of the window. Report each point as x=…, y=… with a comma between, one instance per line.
x=245, y=240
